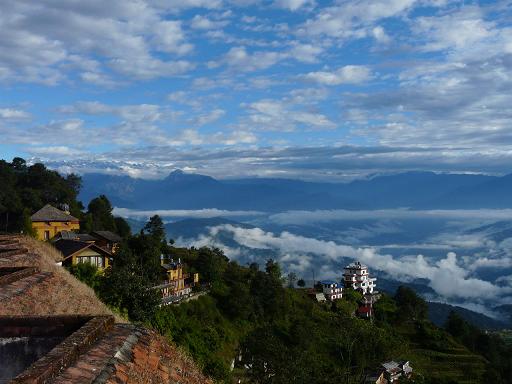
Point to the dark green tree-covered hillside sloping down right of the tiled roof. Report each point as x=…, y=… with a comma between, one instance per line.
x=251, y=320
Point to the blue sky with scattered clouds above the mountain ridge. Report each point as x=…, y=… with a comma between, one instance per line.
x=230, y=88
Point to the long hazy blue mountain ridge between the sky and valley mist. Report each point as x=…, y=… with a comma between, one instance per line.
x=411, y=189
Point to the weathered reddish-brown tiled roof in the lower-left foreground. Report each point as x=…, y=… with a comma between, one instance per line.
x=39, y=307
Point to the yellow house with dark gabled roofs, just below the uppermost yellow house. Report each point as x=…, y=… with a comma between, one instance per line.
x=76, y=252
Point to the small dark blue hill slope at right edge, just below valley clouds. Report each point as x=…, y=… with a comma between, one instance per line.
x=438, y=313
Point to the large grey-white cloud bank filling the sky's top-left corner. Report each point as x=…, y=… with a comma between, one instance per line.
x=47, y=37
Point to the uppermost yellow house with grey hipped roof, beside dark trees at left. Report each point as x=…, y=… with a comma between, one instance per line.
x=49, y=221
